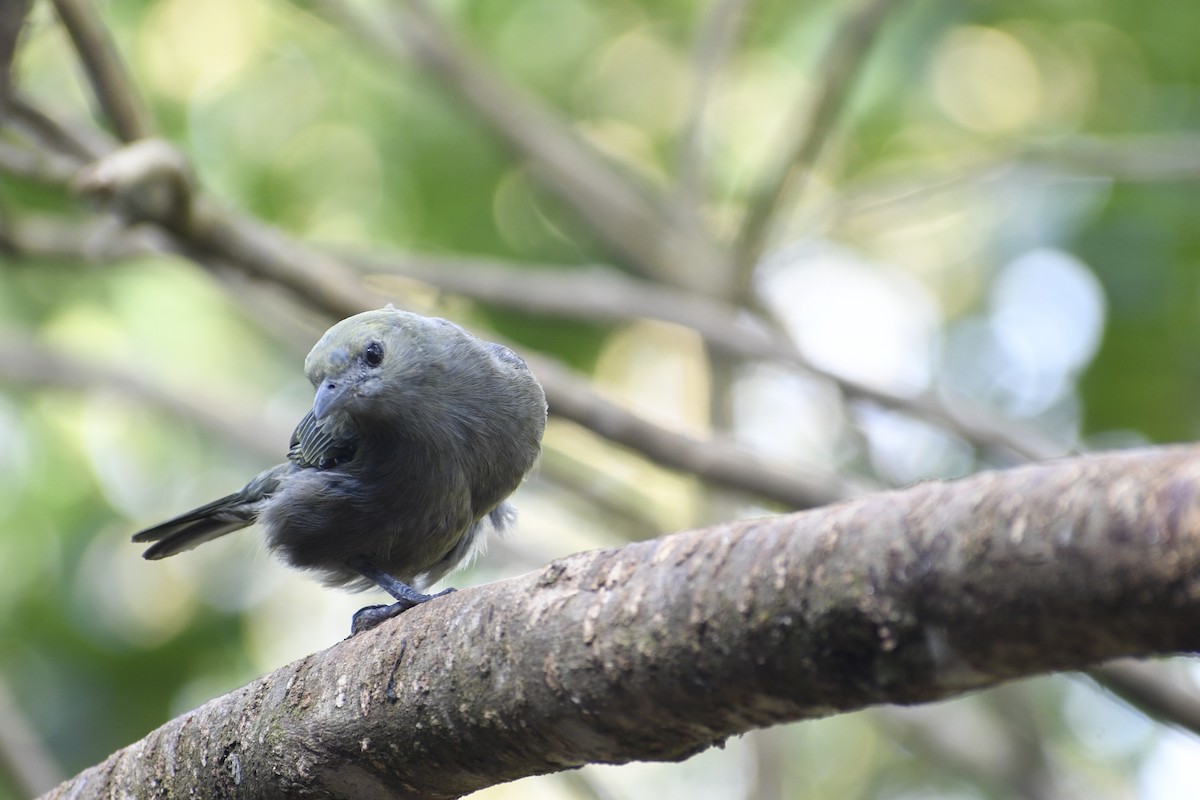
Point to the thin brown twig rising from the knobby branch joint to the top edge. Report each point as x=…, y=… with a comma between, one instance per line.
x=105, y=69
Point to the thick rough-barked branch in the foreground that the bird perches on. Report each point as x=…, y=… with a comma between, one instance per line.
x=659, y=649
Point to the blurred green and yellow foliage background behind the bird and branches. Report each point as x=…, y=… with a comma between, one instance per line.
x=961, y=154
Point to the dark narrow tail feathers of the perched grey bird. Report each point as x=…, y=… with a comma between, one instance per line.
x=213, y=520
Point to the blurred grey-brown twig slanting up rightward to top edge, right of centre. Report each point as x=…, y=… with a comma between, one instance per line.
x=841, y=68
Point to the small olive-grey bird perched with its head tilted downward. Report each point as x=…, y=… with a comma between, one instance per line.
x=418, y=435
